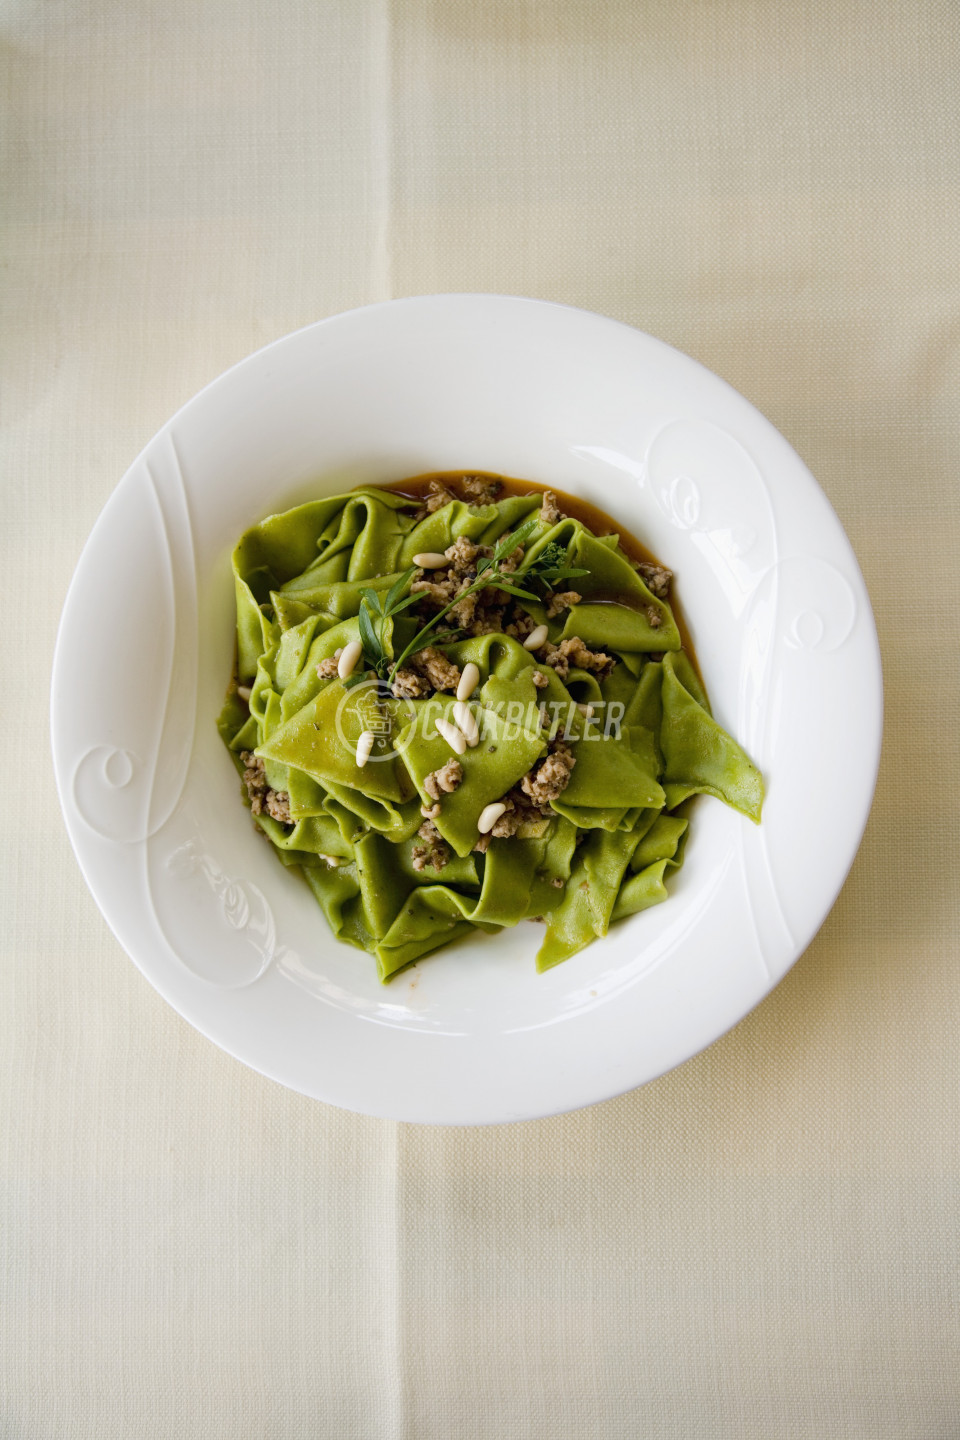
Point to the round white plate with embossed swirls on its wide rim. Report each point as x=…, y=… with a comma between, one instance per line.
x=779, y=617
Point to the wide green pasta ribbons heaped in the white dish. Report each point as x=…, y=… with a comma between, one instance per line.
x=601, y=852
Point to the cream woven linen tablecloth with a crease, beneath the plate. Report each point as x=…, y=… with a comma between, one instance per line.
x=762, y=1243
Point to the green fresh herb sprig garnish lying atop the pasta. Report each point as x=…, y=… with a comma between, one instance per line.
x=548, y=570
